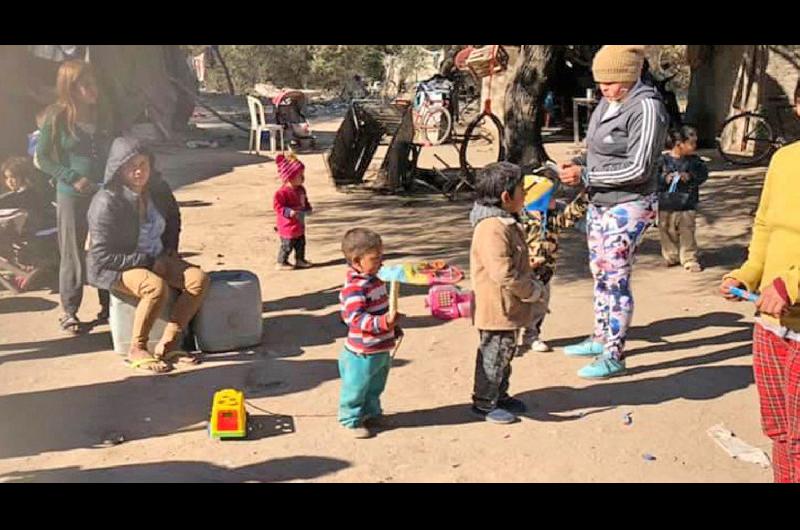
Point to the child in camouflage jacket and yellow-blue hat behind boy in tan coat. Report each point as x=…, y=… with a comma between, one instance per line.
x=544, y=220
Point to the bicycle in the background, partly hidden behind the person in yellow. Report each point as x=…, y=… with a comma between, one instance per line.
x=748, y=138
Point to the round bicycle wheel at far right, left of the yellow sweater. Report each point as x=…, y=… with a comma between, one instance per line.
x=746, y=139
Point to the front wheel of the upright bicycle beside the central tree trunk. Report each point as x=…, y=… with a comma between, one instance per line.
x=483, y=144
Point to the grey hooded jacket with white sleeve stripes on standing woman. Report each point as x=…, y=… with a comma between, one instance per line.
x=623, y=149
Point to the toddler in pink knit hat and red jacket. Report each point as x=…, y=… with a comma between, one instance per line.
x=291, y=206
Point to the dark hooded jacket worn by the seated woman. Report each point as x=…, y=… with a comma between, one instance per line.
x=114, y=221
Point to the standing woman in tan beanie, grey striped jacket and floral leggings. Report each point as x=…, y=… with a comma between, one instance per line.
x=625, y=137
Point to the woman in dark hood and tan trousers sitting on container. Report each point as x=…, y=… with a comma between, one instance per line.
x=134, y=225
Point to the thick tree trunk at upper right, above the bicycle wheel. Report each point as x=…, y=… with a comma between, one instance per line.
x=724, y=79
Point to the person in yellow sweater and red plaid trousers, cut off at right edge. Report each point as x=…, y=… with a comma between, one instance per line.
x=773, y=269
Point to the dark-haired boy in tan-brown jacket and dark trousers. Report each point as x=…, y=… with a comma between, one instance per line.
x=504, y=285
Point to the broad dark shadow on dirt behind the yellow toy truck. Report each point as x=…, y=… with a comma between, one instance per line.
x=145, y=406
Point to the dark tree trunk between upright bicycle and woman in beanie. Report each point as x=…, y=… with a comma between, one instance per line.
x=523, y=105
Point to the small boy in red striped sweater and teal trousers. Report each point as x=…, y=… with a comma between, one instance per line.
x=365, y=360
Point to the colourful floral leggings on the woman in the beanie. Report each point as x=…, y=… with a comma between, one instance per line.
x=614, y=234
